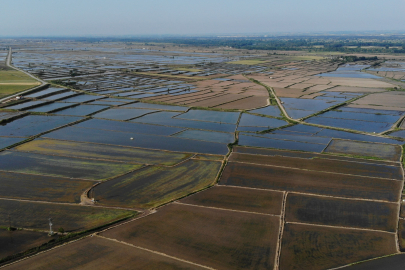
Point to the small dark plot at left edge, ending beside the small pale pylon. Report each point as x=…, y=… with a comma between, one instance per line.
x=19, y=241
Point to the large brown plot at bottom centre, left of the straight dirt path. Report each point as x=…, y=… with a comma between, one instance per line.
x=219, y=239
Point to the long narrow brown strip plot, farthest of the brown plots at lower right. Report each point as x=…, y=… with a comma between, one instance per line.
x=325, y=165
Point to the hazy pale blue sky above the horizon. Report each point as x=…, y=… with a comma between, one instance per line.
x=150, y=17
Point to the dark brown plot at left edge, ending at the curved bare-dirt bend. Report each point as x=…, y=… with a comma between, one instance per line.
x=41, y=188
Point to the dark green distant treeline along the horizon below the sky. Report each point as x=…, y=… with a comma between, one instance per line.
x=350, y=44
